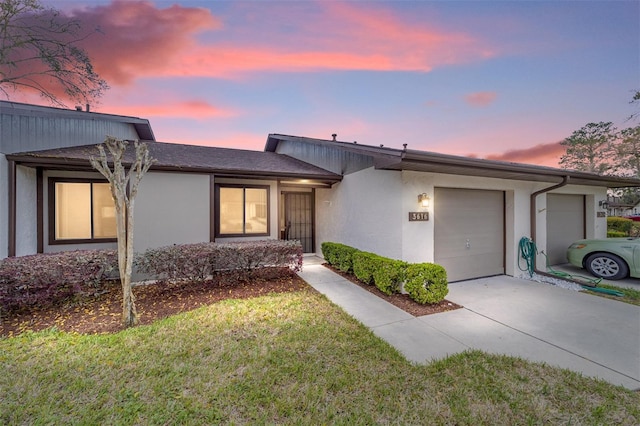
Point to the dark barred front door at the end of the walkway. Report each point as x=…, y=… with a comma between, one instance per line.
x=298, y=218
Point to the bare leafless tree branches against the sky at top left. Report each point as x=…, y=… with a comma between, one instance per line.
x=39, y=53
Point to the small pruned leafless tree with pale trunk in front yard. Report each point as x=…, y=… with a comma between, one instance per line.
x=120, y=180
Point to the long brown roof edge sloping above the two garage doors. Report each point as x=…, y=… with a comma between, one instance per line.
x=425, y=161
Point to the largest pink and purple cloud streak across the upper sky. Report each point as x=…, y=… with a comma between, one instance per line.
x=140, y=40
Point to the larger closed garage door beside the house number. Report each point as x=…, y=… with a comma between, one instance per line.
x=469, y=232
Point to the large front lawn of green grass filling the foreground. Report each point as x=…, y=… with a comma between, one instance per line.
x=282, y=359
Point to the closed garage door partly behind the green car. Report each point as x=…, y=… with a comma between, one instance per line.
x=565, y=224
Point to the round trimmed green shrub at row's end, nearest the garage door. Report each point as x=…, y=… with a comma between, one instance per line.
x=426, y=283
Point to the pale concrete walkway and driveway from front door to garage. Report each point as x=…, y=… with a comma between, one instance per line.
x=503, y=315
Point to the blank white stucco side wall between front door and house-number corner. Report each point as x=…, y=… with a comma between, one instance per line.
x=365, y=211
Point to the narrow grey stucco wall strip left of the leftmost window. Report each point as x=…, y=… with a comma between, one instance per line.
x=26, y=219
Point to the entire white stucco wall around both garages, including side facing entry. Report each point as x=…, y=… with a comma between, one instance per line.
x=369, y=210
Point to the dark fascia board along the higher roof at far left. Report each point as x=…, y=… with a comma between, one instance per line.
x=142, y=125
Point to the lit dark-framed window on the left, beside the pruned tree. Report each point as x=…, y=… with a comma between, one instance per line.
x=80, y=211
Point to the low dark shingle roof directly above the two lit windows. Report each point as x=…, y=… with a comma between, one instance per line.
x=189, y=158
